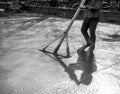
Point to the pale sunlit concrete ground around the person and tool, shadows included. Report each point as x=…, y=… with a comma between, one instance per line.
x=26, y=70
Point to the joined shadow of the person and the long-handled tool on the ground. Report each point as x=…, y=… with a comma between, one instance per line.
x=85, y=62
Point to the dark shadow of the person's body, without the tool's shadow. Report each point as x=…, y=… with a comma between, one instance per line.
x=86, y=63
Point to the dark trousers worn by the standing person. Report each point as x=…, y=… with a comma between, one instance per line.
x=91, y=24
